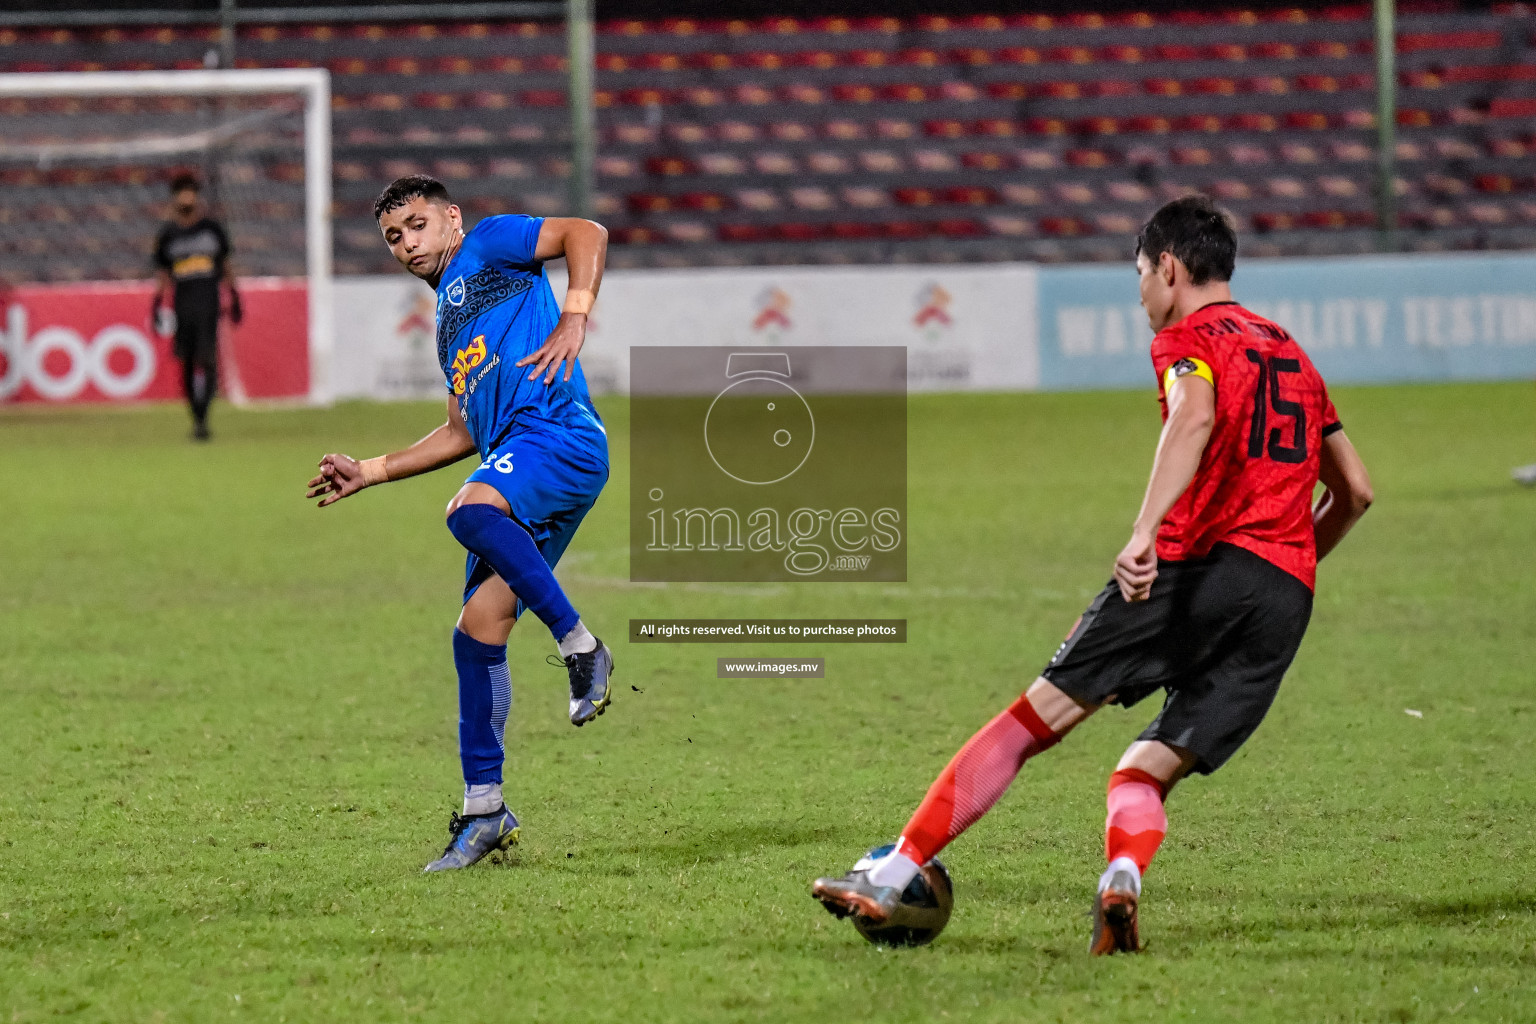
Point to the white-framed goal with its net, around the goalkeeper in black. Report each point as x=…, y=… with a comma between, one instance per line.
x=87, y=160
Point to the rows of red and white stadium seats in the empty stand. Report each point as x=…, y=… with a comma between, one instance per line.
x=839, y=140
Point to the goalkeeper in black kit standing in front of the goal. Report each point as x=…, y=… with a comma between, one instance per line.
x=193, y=265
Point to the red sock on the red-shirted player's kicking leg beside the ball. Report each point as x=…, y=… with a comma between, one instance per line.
x=975, y=781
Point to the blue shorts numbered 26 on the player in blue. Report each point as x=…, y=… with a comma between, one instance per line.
x=551, y=481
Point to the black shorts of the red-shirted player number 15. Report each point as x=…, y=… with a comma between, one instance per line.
x=1217, y=633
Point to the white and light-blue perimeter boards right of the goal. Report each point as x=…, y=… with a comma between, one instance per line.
x=995, y=328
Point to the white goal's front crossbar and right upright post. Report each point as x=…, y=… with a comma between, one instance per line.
x=314, y=87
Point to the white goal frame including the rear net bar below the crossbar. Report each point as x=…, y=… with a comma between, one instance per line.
x=313, y=85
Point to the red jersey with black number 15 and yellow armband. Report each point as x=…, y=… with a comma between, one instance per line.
x=1256, y=480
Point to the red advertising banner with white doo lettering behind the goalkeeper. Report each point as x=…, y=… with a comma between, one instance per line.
x=93, y=343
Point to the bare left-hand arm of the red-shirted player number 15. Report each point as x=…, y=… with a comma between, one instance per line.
x=1191, y=415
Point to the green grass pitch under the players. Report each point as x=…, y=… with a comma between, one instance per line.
x=228, y=747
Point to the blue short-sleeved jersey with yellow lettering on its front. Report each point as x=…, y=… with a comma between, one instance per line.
x=495, y=308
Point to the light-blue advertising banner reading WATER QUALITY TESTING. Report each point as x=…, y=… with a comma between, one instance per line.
x=1362, y=320
